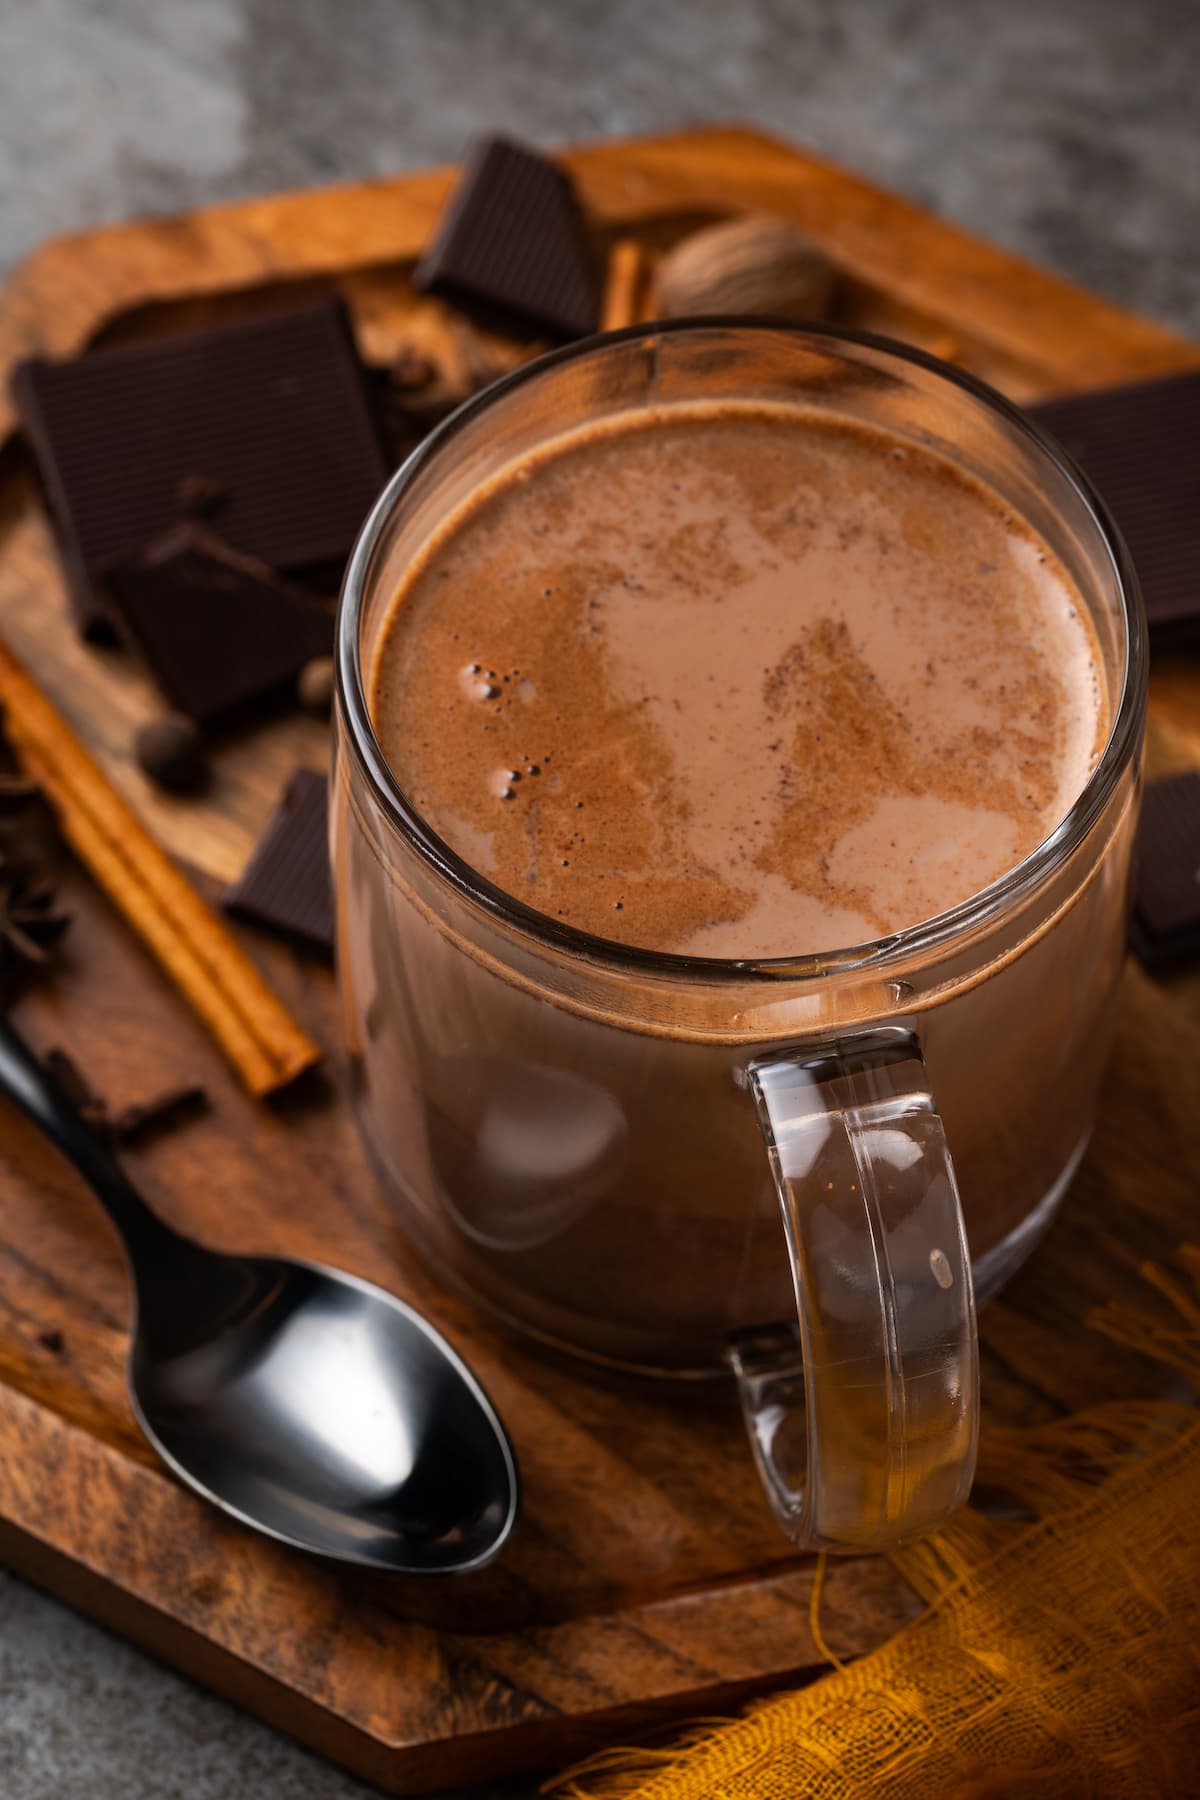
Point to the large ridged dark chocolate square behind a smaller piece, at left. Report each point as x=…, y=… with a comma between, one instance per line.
x=269, y=415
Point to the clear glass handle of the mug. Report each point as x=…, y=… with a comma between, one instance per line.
x=864, y=1419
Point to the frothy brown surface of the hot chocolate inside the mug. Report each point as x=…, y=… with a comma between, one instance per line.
x=739, y=681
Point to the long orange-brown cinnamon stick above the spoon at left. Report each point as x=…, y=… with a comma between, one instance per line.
x=267, y=1047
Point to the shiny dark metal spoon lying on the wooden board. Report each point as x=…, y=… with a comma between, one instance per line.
x=309, y=1405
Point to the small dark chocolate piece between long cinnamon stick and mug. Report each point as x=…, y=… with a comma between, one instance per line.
x=287, y=883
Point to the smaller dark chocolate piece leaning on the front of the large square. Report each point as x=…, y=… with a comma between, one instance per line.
x=215, y=627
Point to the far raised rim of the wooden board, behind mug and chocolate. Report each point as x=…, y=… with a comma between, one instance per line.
x=319, y=233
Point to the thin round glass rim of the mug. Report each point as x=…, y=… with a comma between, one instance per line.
x=913, y=940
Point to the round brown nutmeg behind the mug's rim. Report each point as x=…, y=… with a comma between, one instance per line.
x=748, y=265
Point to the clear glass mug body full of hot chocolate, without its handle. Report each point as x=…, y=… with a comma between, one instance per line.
x=740, y=678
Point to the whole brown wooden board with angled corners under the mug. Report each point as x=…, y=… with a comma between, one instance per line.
x=647, y=1581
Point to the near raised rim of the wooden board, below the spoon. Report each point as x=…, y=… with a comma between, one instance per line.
x=82, y=1567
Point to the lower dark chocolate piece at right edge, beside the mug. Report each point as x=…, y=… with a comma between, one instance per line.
x=1167, y=910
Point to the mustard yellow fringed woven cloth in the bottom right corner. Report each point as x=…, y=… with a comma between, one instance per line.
x=1057, y=1659
